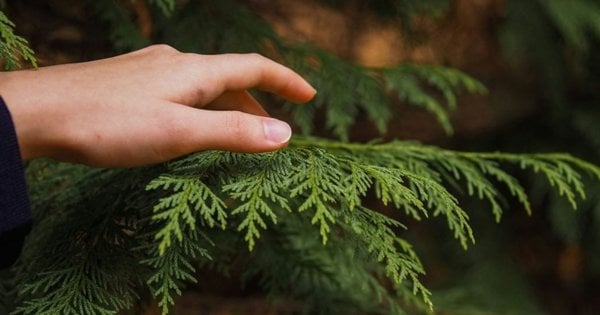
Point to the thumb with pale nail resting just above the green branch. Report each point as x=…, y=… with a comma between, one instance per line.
x=239, y=132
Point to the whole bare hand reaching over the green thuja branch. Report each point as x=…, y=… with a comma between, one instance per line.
x=148, y=106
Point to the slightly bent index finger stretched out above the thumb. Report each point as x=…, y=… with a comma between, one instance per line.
x=237, y=72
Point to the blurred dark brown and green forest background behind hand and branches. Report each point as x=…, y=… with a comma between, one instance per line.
x=540, y=64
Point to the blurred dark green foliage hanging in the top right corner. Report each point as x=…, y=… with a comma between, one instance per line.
x=553, y=38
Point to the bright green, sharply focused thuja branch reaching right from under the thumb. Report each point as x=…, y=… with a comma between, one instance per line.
x=330, y=180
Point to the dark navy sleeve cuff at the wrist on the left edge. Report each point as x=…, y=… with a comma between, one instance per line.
x=15, y=214
